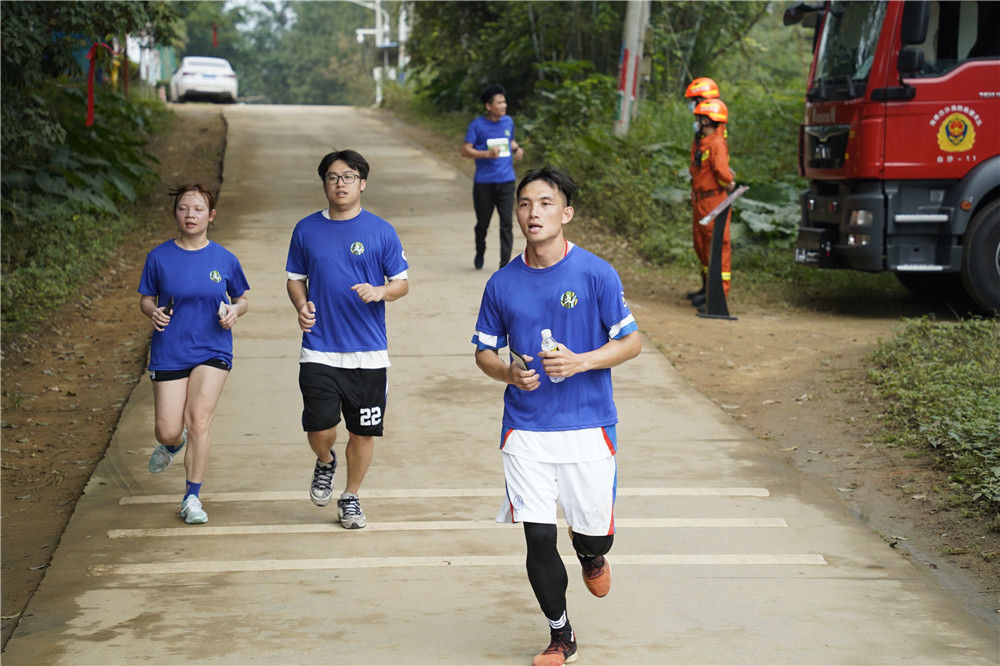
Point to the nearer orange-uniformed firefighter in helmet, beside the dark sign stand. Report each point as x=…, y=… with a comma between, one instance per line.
x=711, y=180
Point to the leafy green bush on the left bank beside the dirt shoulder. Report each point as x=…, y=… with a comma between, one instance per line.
x=63, y=207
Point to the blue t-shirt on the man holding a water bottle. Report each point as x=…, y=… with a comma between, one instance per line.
x=582, y=301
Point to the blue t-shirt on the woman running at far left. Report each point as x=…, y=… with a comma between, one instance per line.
x=198, y=280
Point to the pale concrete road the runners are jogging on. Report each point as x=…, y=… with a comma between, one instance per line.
x=724, y=554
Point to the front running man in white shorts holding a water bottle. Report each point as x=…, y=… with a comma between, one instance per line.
x=558, y=439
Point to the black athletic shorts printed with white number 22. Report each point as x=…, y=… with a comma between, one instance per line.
x=360, y=393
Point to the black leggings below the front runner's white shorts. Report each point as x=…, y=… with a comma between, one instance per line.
x=546, y=571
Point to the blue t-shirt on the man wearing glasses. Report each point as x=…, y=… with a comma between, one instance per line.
x=335, y=255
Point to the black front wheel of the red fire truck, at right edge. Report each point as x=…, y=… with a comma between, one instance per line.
x=981, y=257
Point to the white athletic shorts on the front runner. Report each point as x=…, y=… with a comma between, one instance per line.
x=585, y=491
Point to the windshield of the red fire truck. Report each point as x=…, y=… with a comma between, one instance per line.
x=846, y=49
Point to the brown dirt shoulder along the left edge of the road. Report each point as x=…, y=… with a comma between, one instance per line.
x=64, y=387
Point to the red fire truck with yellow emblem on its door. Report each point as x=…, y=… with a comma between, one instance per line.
x=901, y=143
